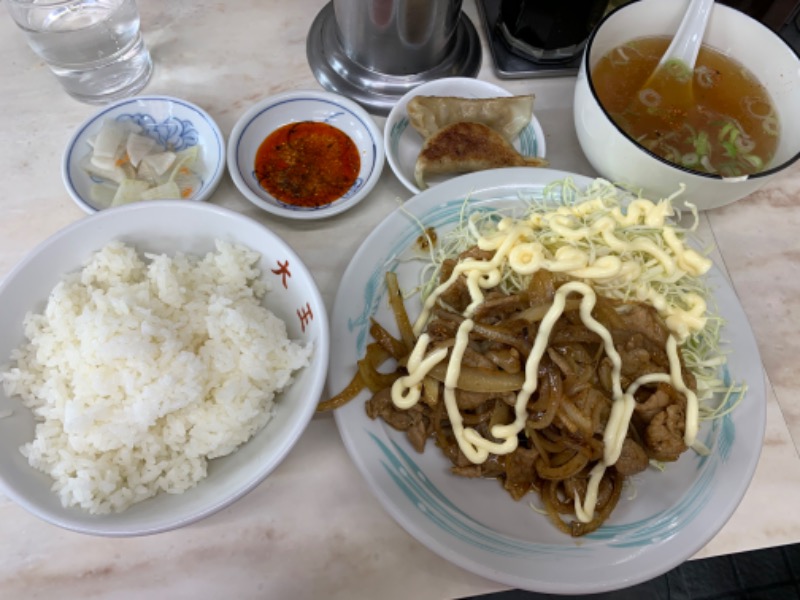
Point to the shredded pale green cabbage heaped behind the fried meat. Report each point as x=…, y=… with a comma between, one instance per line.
x=587, y=211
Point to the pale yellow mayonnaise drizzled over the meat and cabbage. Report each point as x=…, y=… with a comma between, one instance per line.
x=515, y=244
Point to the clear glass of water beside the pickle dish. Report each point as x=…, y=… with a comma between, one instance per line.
x=94, y=47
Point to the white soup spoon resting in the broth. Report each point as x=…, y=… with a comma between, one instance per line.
x=676, y=67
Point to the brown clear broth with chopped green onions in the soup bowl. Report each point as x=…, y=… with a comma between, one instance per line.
x=730, y=129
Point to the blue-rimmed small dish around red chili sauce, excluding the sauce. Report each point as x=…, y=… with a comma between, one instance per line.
x=305, y=105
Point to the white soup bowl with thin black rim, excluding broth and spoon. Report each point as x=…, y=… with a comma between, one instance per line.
x=618, y=157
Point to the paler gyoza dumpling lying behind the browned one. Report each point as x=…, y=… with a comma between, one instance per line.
x=506, y=115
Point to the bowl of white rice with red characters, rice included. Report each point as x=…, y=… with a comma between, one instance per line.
x=159, y=360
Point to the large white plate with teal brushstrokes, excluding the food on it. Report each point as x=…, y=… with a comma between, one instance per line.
x=475, y=523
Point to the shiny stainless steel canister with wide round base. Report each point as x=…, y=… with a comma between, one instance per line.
x=375, y=51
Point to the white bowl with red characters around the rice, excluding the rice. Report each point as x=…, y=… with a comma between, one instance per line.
x=164, y=226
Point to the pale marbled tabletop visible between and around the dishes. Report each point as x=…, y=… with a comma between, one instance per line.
x=313, y=528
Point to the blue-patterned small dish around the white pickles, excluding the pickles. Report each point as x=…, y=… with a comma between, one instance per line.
x=175, y=124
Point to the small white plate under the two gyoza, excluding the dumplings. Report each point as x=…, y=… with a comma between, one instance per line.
x=403, y=143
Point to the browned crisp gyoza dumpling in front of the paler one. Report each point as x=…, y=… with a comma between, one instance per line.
x=466, y=147
